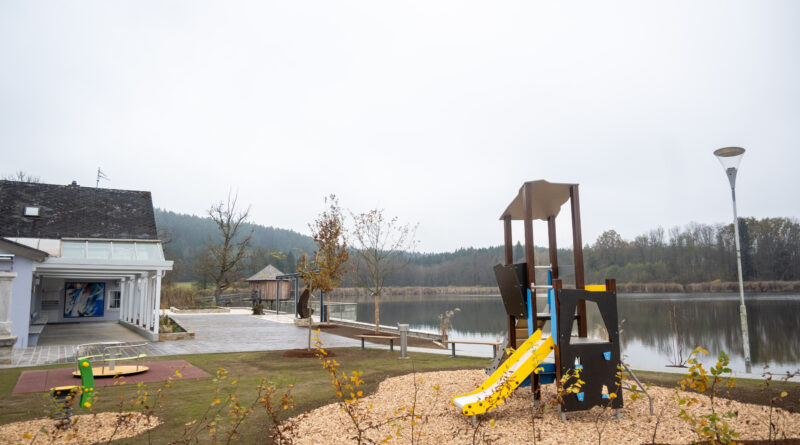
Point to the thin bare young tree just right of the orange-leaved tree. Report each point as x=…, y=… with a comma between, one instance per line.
x=381, y=248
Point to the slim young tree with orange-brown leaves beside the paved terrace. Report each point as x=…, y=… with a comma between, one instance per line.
x=325, y=268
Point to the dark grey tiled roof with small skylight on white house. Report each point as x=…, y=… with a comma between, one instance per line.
x=71, y=211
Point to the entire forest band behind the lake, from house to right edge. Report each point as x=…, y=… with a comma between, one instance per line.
x=689, y=254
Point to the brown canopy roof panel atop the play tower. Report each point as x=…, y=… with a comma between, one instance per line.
x=544, y=198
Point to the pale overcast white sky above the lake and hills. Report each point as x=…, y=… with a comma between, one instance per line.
x=436, y=111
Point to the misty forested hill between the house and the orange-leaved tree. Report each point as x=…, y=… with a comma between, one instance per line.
x=185, y=239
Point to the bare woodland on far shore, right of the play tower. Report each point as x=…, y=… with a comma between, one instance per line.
x=700, y=253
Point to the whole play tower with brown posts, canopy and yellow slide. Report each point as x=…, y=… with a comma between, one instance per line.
x=538, y=359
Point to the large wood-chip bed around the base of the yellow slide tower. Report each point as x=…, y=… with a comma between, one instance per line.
x=511, y=423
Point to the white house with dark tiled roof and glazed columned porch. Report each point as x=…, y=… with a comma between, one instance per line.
x=79, y=254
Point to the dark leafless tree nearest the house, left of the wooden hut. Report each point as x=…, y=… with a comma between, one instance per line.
x=226, y=254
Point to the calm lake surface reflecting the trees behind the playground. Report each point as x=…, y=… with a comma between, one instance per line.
x=648, y=337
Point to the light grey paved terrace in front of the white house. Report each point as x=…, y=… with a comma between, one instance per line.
x=213, y=333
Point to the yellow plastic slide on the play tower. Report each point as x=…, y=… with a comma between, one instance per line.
x=508, y=376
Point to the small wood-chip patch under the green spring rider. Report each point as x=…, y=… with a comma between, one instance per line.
x=87, y=429
